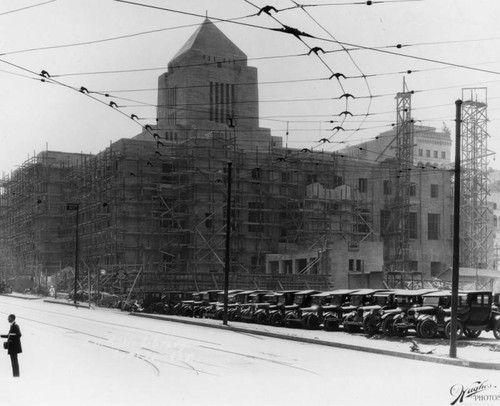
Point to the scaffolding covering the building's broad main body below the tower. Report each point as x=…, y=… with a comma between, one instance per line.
x=154, y=219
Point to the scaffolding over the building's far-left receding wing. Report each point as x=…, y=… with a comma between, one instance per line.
x=32, y=218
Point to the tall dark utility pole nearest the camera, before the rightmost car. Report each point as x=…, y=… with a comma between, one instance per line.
x=456, y=236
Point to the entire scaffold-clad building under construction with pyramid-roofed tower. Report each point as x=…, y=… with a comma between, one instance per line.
x=149, y=213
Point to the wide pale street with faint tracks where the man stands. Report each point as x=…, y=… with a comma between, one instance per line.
x=77, y=356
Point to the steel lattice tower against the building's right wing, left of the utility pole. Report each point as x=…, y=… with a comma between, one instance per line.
x=400, y=261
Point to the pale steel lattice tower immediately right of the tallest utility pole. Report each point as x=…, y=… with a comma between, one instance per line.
x=474, y=179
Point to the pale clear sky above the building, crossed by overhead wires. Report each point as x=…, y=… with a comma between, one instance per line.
x=119, y=49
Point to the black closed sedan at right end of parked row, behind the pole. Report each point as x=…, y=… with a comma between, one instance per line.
x=475, y=313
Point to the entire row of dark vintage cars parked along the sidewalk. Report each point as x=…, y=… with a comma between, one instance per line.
x=425, y=312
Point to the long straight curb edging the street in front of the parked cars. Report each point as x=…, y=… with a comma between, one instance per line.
x=353, y=347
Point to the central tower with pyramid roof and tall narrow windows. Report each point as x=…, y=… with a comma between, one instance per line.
x=210, y=89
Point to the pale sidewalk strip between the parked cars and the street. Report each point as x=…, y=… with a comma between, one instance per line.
x=481, y=353
